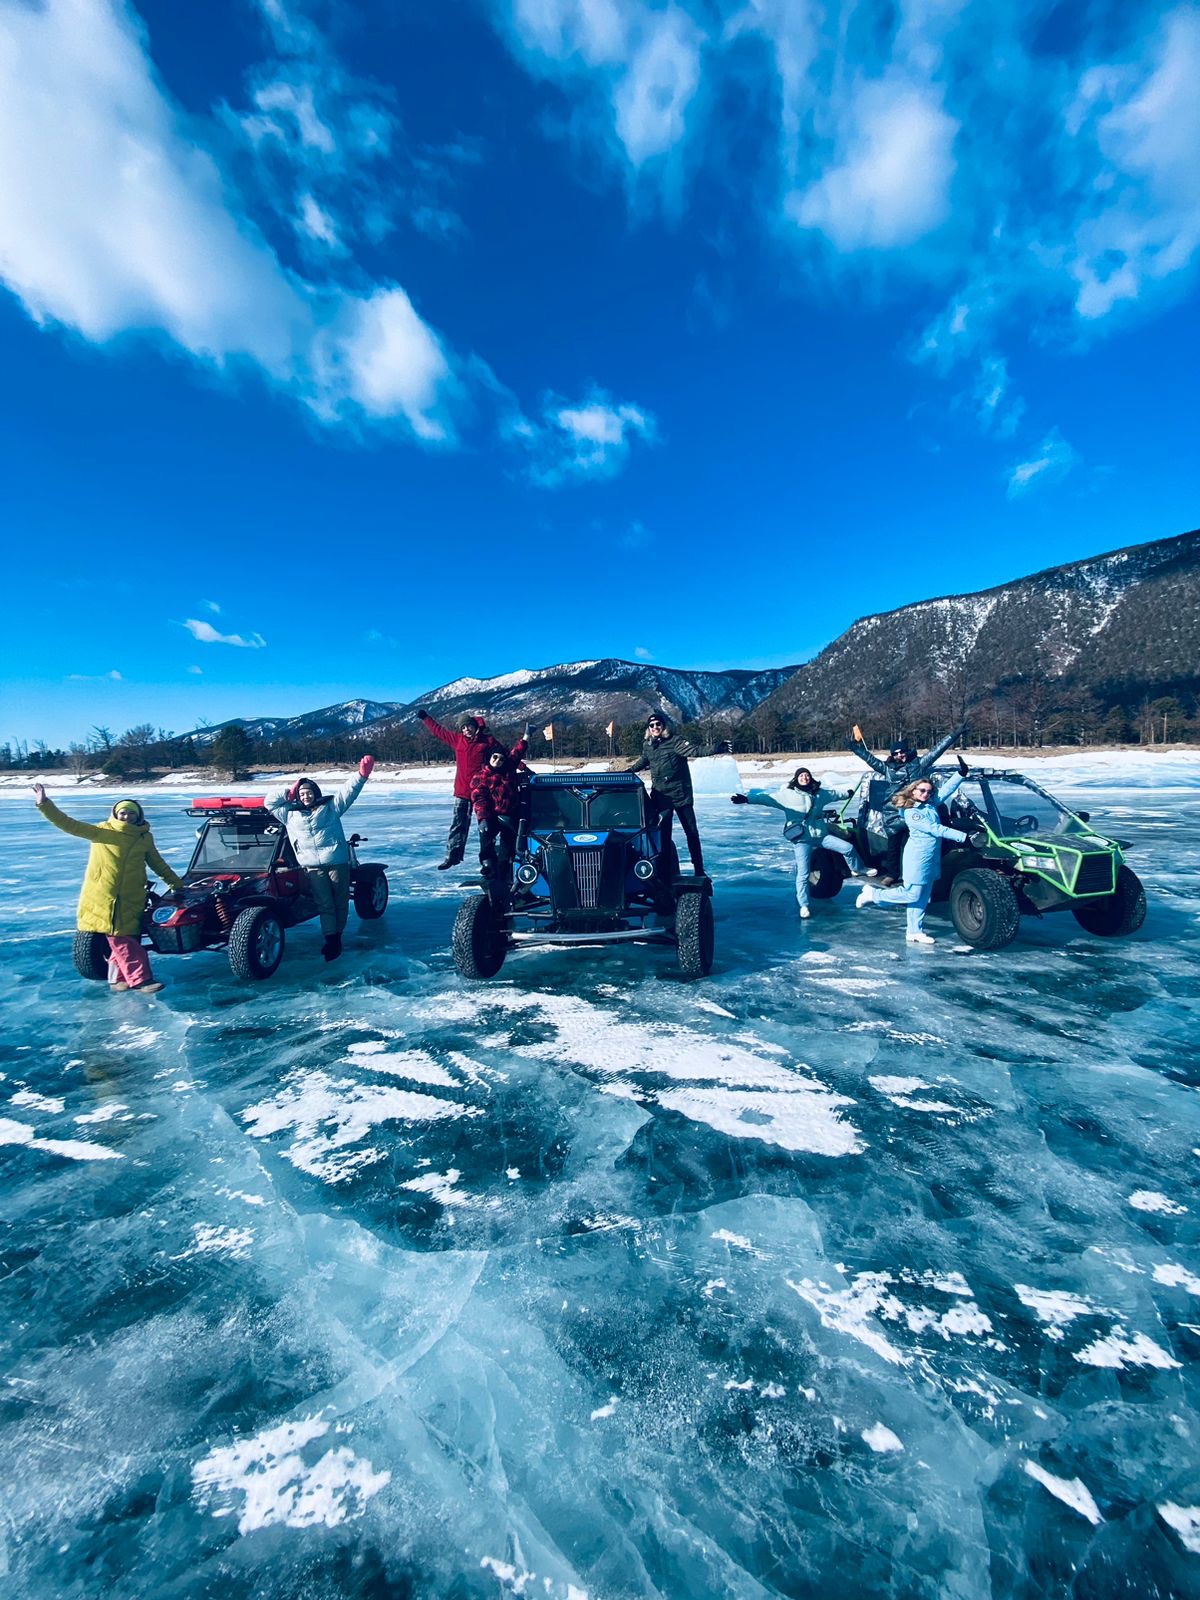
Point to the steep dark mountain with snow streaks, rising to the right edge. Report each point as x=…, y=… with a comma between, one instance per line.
x=1124, y=626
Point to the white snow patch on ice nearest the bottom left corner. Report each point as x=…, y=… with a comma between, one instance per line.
x=281, y=1487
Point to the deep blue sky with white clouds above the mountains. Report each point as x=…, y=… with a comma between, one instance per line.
x=350, y=350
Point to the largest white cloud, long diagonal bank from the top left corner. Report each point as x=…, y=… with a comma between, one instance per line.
x=113, y=222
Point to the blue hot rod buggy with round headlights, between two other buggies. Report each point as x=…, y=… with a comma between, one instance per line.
x=590, y=870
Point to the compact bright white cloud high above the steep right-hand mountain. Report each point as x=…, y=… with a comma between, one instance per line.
x=894, y=177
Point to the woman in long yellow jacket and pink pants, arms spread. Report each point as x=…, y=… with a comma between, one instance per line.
x=114, y=886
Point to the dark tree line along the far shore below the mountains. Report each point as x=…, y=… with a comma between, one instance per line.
x=1025, y=716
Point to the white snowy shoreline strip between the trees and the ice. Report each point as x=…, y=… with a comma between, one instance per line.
x=1159, y=769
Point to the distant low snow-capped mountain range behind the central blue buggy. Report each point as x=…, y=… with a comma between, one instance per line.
x=575, y=692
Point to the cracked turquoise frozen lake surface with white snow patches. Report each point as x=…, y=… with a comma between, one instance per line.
x=855, y=1268
